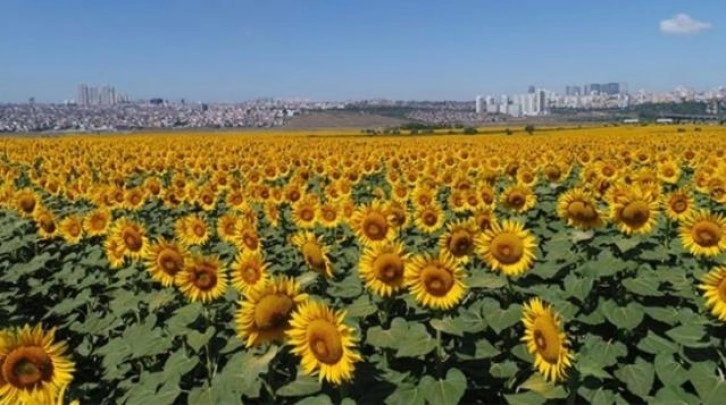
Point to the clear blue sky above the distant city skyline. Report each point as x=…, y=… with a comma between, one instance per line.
x=228, y=50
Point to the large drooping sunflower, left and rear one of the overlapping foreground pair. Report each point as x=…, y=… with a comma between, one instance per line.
x=265, y=312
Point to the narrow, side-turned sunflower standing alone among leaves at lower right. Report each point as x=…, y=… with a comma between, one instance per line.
x=545, y=340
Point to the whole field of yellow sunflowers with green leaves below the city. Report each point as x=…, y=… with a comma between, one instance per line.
x=573, y=266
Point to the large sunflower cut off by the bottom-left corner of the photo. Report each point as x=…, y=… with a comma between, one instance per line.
x=34, y=368
